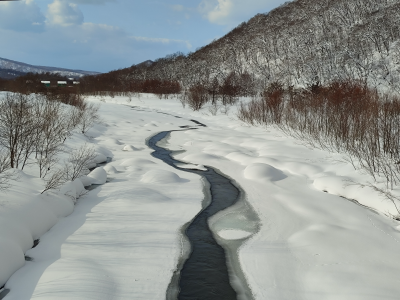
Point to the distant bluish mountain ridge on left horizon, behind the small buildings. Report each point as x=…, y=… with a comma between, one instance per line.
x=11, y=69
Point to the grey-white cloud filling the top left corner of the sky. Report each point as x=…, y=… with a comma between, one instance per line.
x=21, y=16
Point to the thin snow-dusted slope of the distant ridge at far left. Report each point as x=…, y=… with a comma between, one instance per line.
x=7, y=64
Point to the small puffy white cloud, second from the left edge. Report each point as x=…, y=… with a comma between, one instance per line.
x=64, y=14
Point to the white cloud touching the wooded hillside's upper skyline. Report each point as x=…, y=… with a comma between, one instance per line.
x=232, y=12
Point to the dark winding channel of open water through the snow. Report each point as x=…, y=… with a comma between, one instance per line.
x=204, y=274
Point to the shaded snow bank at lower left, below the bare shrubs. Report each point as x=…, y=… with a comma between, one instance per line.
x=24, y=220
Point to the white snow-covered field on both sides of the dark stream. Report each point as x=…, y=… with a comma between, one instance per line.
x=123, y=239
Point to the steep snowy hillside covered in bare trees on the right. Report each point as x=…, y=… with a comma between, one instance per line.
x=300, y=43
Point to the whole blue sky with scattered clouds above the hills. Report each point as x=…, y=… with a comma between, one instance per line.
x=105, y=35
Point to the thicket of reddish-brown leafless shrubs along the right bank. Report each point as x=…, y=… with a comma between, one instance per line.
x=343, y=117
